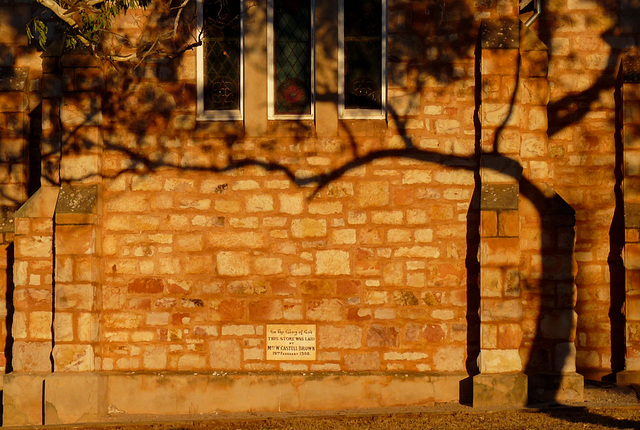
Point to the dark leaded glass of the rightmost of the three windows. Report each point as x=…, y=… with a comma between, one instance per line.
x=363, y=54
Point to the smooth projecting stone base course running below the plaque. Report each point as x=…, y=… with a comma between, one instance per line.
x=183, y=393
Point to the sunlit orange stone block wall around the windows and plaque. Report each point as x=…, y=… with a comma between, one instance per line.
x=471, y=233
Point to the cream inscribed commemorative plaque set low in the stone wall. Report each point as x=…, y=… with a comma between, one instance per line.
x=291, y=342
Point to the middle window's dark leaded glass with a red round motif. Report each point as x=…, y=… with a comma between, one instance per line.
x=292, y=30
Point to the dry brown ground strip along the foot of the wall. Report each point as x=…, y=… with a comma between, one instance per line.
x=605, y=406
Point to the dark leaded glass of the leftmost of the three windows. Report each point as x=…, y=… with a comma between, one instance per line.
x=221, y=55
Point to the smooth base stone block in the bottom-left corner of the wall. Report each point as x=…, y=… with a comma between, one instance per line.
x=22, y=399
